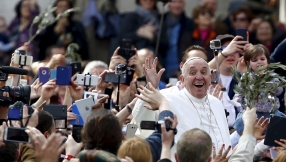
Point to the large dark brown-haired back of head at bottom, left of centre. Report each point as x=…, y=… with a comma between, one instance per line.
x=102, y=131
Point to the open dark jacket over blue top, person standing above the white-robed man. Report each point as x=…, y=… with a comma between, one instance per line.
x=186, y=26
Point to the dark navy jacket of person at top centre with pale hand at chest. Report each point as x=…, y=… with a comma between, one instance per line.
x=130, y=23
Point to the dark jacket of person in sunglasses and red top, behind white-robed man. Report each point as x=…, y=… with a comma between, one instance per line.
x=193, y=38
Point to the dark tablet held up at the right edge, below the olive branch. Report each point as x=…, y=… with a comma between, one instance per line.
x=276, y=130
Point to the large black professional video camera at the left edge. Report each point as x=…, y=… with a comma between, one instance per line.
x=16, y=93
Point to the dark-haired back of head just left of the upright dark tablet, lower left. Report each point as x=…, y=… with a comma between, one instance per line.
x=45, y=122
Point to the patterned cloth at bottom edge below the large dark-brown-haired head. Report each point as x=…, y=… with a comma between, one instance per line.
x=97, y=156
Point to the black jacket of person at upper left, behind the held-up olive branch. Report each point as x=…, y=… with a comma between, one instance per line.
x=50, y=38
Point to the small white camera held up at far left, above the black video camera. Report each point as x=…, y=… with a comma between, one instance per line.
x=20, y=58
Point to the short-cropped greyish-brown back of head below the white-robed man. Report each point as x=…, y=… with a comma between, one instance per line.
x=194, y=145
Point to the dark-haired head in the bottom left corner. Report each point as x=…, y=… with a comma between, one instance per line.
x=9, y=152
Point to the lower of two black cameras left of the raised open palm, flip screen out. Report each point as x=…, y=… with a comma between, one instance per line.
x=126, y=75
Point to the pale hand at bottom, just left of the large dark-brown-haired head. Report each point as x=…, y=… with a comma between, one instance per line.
x=72, y=147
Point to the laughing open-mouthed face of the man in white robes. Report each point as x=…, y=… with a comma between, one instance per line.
x=196, y=78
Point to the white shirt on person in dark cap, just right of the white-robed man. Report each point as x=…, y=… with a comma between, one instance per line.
x=226, y=100
